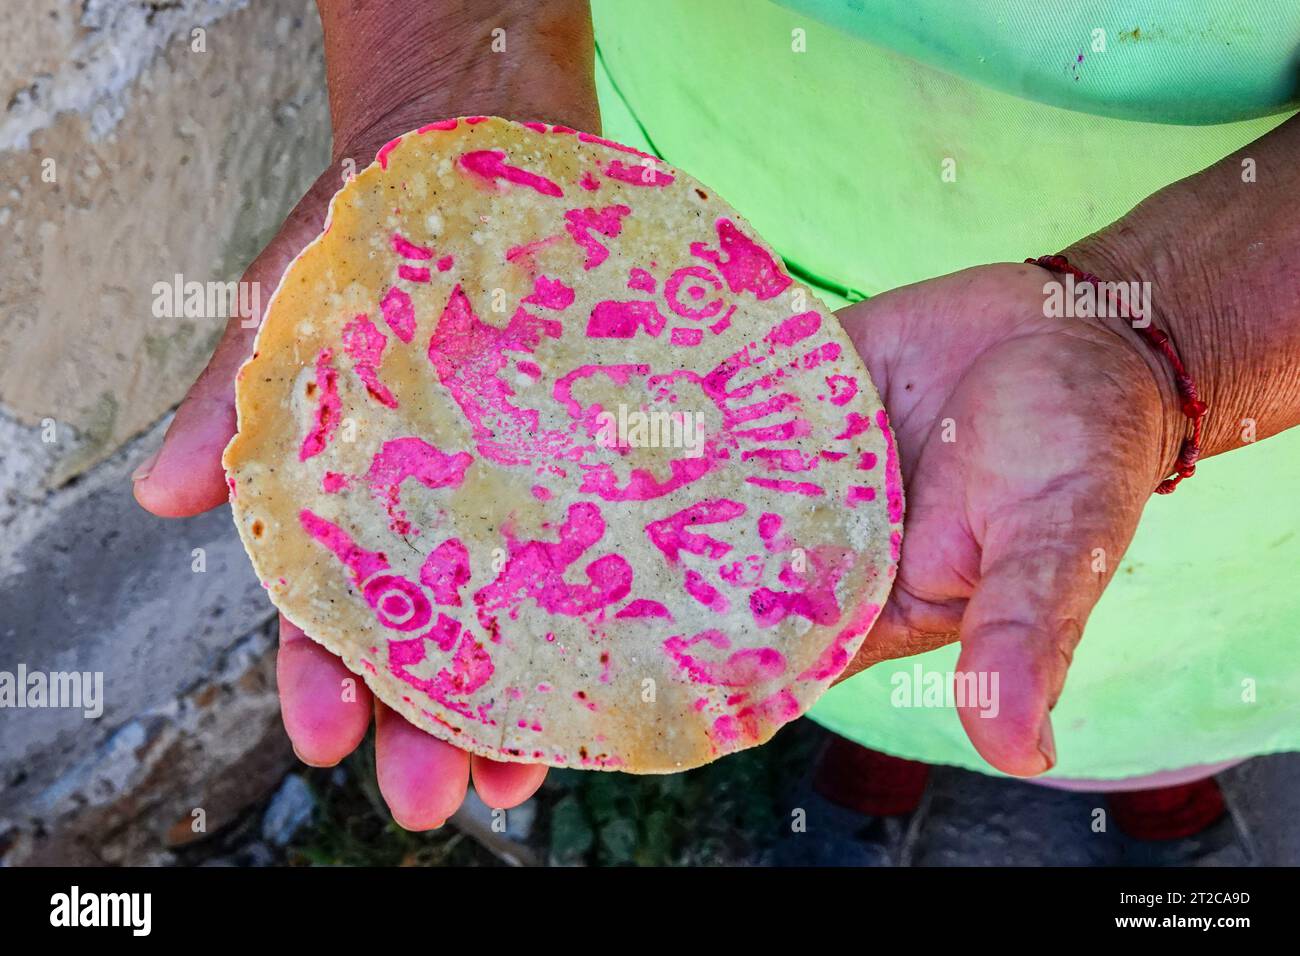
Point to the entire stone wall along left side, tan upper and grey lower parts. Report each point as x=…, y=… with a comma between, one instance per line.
x=138, y=140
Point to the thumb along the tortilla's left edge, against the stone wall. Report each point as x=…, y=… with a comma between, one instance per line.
x=185, y=477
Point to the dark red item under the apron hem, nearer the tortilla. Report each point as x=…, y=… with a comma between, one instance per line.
x=869, y=782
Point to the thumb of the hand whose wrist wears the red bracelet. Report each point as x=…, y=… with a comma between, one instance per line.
x=1038, y=586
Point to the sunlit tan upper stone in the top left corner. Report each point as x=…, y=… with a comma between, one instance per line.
x=166, y=161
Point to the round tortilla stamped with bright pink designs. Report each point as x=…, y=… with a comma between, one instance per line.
x=547, y=445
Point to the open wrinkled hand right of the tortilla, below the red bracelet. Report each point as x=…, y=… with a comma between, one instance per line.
x=1029, y=448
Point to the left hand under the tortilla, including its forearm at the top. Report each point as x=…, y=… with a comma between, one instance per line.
x=392, y=68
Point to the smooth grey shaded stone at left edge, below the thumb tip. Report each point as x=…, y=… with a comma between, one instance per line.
x=107, y=587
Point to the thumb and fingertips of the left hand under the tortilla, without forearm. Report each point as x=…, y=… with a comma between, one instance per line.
x=422, y=778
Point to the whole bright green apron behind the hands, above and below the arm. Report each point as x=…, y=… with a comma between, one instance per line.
x=883, y=142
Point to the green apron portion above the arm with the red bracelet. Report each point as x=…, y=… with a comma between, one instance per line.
x=879, y=144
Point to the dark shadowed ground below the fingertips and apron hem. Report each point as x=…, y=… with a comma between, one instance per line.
x=336, y=817
